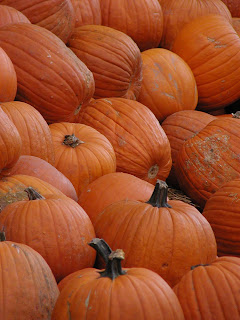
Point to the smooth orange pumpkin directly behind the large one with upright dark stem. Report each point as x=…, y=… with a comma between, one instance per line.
x=110, y=188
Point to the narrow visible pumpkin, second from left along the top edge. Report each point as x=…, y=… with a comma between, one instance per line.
x=87, y=12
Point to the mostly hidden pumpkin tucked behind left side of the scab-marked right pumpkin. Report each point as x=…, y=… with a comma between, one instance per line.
x=179, y=127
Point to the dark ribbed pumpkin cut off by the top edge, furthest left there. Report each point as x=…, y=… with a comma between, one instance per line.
x=56, y=15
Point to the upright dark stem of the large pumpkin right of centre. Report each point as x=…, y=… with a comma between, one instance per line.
x=159, y=195
